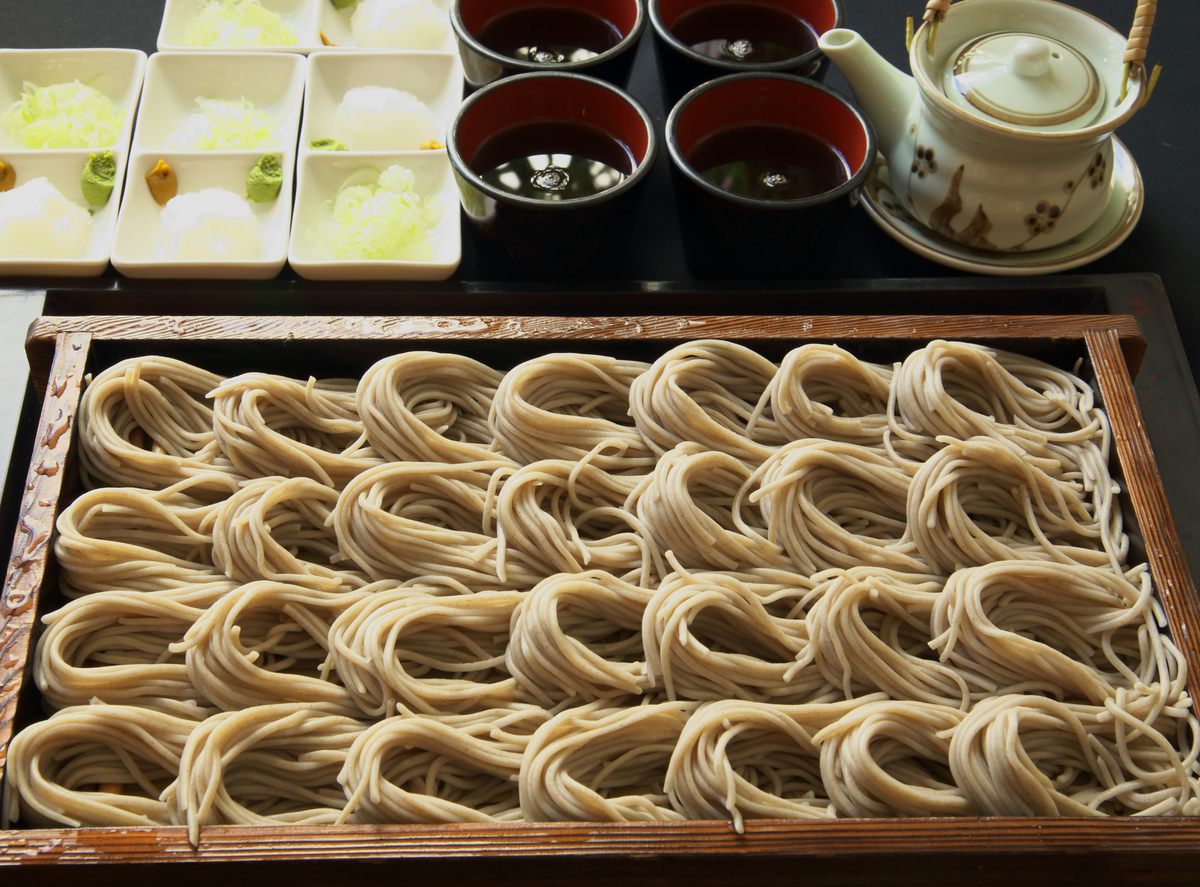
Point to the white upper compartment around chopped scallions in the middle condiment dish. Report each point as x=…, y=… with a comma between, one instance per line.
x=272, y=82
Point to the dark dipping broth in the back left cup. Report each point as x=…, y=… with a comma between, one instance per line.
x=549, y=35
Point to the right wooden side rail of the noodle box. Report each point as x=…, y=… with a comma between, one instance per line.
x=1168, y=565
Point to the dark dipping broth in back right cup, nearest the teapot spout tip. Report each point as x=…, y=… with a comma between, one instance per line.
x=746, y=33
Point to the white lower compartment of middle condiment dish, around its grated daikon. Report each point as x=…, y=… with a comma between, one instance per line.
x=136, y=251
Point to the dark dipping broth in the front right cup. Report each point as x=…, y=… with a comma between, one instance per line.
x=770, y=163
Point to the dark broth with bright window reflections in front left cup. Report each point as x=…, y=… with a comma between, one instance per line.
x=553, y=160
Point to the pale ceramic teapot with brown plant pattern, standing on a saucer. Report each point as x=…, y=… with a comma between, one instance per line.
x=1003, y=139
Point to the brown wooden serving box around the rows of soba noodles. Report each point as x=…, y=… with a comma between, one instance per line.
x=63, y=350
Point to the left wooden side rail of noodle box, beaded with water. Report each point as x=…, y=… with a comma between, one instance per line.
x=39, y=512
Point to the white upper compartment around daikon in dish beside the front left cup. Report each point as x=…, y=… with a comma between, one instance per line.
x=435, y=79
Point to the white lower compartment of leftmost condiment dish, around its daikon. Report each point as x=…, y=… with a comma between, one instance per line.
x=63, y=169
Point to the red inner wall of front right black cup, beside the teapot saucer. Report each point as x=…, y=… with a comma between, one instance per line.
x=773, y=101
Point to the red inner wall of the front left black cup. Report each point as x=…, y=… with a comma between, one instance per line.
x=551, y=98
